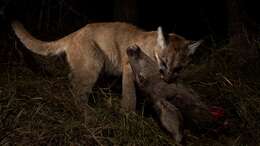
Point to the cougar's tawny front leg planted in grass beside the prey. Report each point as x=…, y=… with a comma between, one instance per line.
x=128, y=102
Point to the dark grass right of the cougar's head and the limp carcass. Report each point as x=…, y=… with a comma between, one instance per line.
x=226, y=82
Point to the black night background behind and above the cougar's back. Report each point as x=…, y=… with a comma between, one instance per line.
x=217, y=22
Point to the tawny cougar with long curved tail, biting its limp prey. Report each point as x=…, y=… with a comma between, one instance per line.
x=102, y=46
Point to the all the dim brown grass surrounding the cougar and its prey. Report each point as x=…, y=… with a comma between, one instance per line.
x=39, y=109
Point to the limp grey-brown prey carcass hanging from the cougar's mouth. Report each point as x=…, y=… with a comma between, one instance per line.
x=167, y=98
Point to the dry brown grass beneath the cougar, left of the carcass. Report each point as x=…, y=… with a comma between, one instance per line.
x=37, y=110
